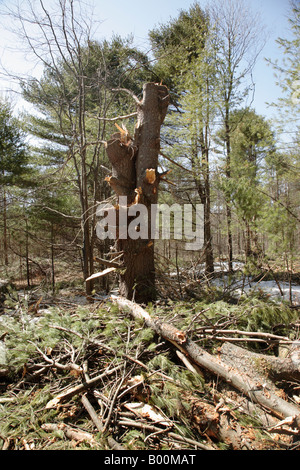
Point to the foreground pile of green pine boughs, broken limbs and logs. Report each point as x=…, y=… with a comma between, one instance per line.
x=150, y=386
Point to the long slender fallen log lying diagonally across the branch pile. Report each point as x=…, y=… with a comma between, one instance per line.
x=253, y=389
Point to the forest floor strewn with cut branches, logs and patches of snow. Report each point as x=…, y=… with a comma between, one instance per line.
x=209, y=366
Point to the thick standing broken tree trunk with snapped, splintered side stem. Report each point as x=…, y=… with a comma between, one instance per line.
x=134, y=176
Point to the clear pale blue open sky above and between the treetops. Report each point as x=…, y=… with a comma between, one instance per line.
x=137, y=17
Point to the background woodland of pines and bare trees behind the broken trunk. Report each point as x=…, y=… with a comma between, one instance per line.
x=216, y=148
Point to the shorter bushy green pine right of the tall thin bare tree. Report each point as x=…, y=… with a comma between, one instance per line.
x=252, y=146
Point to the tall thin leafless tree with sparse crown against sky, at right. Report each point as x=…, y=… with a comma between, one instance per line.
x=239, y=34
